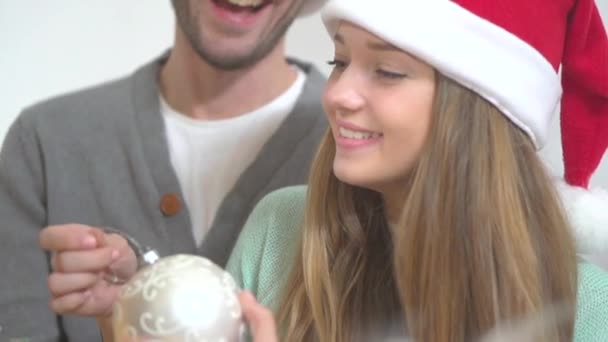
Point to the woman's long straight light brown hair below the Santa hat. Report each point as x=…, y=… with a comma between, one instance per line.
x=482, y=241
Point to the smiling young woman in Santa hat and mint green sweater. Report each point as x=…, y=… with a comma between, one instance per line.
x=428, y=213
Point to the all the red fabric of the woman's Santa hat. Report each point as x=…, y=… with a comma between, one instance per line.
x=570, y=33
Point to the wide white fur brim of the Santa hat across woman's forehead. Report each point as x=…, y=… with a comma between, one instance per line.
x=482, y=56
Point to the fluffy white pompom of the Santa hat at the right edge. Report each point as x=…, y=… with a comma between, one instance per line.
x=587, y=212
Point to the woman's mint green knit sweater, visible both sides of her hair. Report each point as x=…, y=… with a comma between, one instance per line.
x=263, y=257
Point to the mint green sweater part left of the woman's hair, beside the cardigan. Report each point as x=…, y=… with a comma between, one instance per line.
x=263, y=255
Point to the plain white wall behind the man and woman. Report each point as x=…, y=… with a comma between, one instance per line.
x=50, y=47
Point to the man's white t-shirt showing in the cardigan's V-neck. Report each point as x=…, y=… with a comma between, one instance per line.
x=199, y=148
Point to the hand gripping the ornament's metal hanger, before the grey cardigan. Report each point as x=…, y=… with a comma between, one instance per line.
x=83, y=258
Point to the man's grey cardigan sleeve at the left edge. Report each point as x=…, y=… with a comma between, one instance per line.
x=24, y=299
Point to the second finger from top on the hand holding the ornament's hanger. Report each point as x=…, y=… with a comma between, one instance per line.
x=94, y=260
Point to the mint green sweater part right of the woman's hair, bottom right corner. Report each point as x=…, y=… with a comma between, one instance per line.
x=592, y=304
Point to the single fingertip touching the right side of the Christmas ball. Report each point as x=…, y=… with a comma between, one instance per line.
x=261, y=320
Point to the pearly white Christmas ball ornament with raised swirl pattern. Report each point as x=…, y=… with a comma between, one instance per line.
x=184, y=298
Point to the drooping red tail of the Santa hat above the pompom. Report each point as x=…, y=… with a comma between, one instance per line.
x=584, y=113
